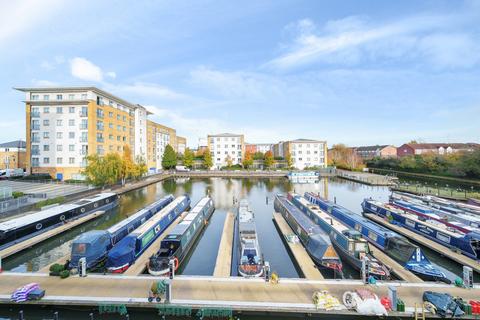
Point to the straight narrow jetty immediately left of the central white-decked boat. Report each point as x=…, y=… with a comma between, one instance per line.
x=223, y=263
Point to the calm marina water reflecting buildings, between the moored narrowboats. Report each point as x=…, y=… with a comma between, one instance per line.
x=259, y=192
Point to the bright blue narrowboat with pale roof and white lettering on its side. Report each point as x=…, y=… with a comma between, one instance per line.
x=127, y=250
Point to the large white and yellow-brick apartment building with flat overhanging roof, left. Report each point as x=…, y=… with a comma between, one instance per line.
x=65, y=124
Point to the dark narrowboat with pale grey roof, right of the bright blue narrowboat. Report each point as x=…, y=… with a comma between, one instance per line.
x=179, y=242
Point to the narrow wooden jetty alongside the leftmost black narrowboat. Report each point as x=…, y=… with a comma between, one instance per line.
x=28, y=243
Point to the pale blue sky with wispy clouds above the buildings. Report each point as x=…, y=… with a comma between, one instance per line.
x=357, y=72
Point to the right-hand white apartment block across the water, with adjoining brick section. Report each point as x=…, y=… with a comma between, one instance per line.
x=304, y=152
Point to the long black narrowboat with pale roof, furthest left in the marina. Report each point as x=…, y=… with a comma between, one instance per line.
x=19, y=229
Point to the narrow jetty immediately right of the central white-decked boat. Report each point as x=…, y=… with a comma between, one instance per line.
x=303, y=260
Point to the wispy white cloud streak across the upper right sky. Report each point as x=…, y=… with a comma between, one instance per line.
x=356, y=39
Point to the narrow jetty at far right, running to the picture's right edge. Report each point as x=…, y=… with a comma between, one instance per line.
x=457, y=257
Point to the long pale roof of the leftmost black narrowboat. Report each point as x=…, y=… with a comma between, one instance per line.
x=44, y=214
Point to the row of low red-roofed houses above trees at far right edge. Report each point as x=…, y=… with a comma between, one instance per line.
x=436, y=148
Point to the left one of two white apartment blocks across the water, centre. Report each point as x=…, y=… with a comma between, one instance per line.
x=226, y=147
